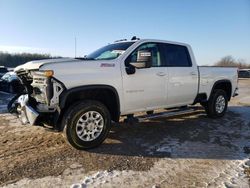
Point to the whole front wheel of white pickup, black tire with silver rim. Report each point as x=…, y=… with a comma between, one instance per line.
x=87, y=124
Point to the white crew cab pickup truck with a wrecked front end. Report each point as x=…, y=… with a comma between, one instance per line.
x=82, y=96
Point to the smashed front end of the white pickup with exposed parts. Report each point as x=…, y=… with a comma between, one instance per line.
x=40, y=100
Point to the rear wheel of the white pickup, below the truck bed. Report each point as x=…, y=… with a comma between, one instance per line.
x=217, y=104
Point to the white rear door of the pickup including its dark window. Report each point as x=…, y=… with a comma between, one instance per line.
x=182, y=75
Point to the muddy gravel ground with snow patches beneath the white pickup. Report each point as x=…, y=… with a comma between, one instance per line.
x=184, y=151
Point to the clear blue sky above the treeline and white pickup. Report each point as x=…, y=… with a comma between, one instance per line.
x=214, y=28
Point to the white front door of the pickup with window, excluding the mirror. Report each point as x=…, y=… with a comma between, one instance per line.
x=146, y=88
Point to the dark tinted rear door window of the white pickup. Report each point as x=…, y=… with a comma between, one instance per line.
x=177, y=56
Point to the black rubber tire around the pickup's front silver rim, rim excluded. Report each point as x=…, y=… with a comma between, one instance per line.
x=72, y=116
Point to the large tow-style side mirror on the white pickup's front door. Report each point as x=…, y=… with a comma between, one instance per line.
x=144, y=59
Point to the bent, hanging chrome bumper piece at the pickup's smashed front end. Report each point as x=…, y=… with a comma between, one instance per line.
x=26, y=113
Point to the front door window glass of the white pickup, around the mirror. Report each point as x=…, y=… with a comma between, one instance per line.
x=153, y=48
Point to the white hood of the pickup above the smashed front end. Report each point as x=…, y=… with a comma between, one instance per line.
x=35, y=65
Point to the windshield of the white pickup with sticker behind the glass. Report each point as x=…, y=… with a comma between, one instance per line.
x=111, y=51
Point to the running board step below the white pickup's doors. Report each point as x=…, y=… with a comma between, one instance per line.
x=175, y=112
